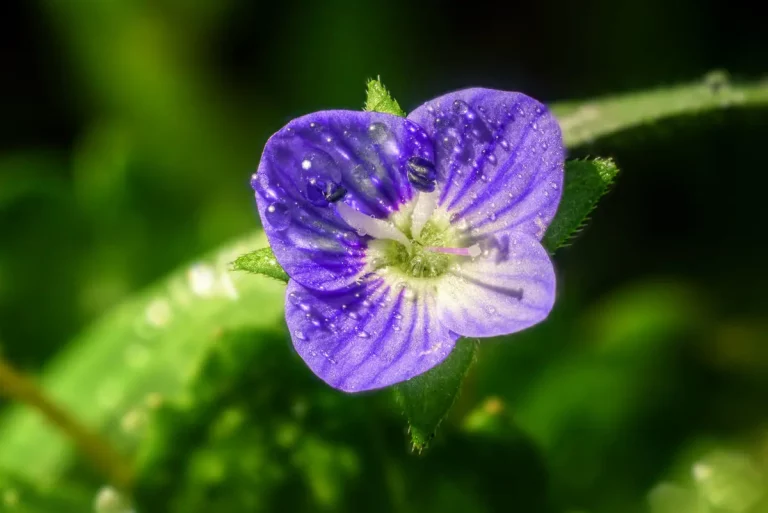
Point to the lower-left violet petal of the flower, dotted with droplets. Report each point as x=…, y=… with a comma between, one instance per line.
x=369, y=336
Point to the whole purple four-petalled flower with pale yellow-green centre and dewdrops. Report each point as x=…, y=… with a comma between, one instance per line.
x=402, y=234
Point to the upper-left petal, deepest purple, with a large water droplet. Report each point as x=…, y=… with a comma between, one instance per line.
x=319, y=159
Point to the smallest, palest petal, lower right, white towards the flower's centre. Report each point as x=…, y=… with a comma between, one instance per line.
x=510, y=287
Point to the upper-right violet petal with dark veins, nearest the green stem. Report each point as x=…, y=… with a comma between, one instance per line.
x=500, y=158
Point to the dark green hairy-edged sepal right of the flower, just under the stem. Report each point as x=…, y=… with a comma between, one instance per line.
x=585, y=183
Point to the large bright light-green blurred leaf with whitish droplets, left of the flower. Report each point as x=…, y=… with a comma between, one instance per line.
x=139, y=353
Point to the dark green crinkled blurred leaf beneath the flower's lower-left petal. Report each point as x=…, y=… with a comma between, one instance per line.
x=251, y=425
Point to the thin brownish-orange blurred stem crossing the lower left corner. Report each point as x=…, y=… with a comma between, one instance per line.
x=96, y=449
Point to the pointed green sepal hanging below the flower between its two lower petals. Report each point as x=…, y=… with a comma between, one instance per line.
x=426, y=399
